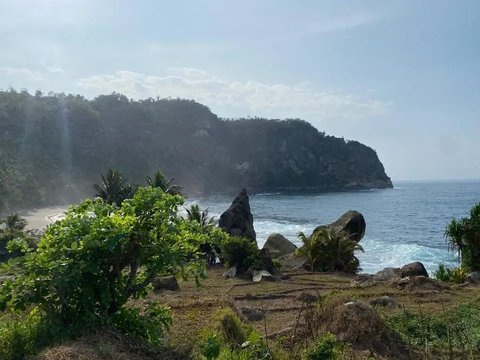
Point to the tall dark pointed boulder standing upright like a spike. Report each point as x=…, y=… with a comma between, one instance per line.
x=238, y=219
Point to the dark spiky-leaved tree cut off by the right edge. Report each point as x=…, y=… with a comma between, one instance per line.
x=463, y=236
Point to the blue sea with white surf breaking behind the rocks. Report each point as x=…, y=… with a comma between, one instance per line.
x=404, y=224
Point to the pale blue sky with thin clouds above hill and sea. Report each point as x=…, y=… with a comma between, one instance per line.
x=401, y=76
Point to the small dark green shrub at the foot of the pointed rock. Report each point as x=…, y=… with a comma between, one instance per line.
x=239, y=252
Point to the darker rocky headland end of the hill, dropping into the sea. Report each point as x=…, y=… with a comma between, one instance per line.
x=291, y=155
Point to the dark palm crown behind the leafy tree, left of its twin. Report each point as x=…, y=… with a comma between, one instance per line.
x=113, y=188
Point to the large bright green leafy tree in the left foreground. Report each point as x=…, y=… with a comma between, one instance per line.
x=89, y=264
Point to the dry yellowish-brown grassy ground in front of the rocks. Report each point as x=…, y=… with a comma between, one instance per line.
x=279, y=301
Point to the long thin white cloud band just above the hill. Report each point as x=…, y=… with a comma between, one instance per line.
x=237, y=98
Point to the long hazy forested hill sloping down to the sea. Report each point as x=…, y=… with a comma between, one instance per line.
x=53, y=148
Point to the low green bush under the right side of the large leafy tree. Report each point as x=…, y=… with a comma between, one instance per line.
x=149, y=326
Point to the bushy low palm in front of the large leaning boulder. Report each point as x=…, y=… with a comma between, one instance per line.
x=329, y=249
